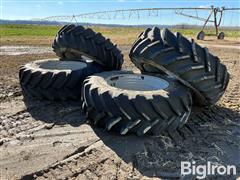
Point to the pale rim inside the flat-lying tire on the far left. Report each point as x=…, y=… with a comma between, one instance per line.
x=62, y=65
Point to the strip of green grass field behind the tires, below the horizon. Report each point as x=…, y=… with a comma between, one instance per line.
x=46, y=30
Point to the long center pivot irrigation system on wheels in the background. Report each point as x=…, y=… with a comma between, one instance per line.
x=214, y=16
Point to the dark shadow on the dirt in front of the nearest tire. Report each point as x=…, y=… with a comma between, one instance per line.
x=212, y=135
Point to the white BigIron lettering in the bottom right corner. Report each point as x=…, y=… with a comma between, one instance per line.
x=202, y=171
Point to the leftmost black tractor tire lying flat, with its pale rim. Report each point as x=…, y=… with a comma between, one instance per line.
x=55, y=80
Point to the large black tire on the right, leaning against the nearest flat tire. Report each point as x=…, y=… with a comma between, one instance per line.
x=160, y=51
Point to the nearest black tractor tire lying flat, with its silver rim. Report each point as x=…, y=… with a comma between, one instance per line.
x=133, y=107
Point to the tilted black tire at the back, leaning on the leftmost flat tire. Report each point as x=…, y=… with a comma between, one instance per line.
x=76, y=42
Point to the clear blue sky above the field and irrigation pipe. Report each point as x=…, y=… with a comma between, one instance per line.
x=32, y=9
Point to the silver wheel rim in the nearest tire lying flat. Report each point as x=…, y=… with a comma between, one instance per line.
x=134, y=82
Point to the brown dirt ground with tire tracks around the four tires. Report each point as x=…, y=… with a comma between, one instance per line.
x=46, y=140
